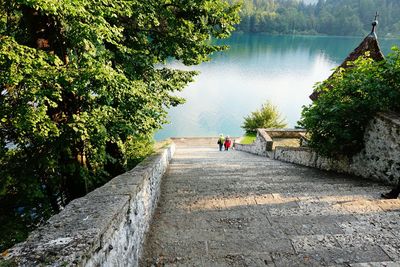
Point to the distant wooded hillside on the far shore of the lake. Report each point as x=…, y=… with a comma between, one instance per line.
x=331, y=17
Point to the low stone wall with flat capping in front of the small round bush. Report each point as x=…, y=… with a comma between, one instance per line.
x=264, y=143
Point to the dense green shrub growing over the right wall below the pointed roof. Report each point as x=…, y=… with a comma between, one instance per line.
x=336, y=121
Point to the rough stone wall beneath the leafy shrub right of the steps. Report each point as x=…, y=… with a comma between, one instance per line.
x=379, y=160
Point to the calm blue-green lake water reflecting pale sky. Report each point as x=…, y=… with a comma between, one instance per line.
x=256, y=68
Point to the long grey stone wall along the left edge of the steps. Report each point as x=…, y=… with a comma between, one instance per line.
x=104, y=228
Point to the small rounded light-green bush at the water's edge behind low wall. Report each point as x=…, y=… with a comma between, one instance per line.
x=267, y=116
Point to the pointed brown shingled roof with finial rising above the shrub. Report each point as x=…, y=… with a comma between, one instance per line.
x=369, y=44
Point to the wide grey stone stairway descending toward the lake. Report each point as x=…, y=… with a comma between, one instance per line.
x=236, y=209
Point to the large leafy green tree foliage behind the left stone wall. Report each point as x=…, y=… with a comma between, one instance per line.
x=83, y=88
